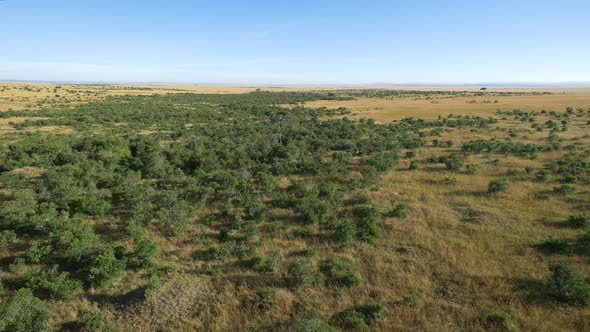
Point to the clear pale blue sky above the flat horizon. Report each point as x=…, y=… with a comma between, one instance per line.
x=295, y=42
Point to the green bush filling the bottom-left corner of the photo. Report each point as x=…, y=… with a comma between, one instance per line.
x=23, y=312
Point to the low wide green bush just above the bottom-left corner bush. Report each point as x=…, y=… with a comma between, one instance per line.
x=52, y=283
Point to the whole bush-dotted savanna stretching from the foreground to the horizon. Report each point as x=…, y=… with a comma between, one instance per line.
x=293, y=209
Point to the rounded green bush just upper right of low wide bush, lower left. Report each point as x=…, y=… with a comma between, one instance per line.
x=105, y=268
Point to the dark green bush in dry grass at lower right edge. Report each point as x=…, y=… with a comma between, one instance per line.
x=568, y=284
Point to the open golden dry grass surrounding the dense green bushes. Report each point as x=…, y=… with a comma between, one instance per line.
x=461, y=254
